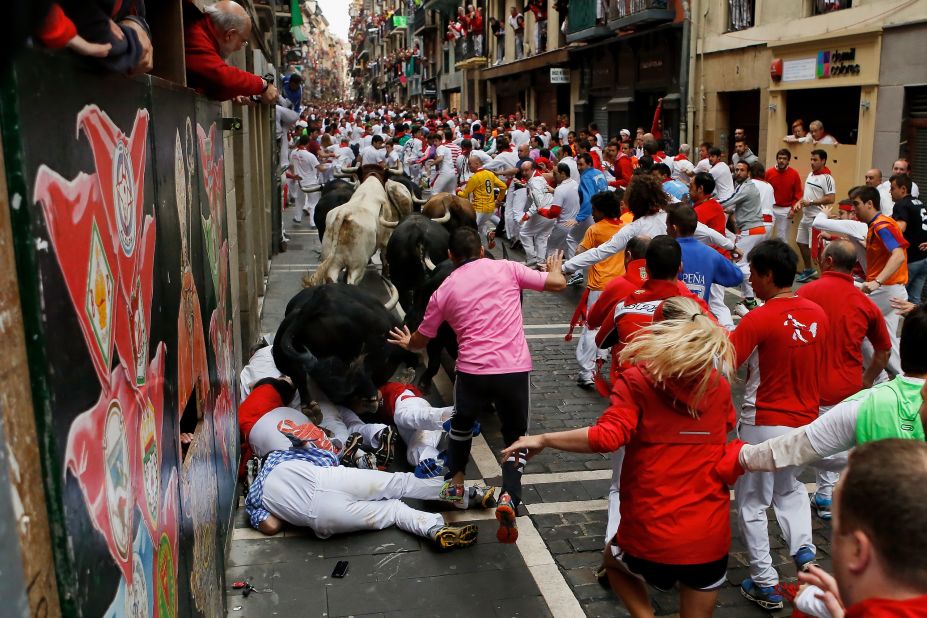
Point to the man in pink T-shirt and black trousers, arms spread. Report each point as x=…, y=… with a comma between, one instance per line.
x=481, y=301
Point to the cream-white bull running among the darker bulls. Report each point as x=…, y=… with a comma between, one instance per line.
x=359, y=228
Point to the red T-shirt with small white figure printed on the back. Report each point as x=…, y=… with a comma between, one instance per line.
x=784, y=345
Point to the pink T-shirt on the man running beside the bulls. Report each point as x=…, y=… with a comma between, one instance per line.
x=481, y=302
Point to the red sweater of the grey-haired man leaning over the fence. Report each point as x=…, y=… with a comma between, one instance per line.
x=207, y=72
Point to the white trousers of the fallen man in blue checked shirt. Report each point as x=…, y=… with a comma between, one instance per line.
x=339, y=499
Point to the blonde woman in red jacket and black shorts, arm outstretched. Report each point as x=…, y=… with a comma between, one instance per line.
x=672, y=411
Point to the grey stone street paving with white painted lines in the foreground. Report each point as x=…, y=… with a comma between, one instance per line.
x=395, y=574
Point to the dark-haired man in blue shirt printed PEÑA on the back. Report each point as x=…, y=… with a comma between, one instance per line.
x=702, y=266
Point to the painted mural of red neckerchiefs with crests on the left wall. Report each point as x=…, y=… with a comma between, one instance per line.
x=130, y=265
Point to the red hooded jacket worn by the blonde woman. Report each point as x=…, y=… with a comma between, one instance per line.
x=674, y=509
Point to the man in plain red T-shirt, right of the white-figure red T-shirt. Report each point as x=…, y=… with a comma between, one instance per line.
x=854, y=319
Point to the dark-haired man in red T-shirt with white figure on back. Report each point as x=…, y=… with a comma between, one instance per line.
x=778, y=341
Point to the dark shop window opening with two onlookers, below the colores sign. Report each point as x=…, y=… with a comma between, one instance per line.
x=836, y=108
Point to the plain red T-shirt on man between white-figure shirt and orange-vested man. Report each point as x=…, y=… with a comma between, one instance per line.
x=853, y=317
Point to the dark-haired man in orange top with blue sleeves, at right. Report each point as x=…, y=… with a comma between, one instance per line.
x=886, y=262
